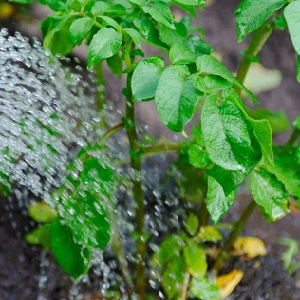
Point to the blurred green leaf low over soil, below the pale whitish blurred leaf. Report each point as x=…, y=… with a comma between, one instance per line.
x=278, y=120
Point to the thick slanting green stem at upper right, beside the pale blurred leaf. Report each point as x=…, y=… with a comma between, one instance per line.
x=259, y=38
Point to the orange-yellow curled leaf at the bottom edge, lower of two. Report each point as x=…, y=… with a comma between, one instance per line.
x=228, y=282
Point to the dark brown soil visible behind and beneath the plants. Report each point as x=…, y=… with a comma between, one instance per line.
x=20, y=264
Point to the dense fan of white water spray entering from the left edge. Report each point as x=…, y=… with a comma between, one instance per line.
x=45, y=113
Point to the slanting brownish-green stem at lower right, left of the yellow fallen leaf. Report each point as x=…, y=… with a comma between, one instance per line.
x=237, y=228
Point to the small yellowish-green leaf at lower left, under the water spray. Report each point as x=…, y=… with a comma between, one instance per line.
x=41, y=212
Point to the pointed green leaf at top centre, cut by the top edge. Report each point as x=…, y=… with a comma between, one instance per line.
x=160, y=12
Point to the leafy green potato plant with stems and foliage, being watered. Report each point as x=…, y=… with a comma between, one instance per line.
x=228, y=142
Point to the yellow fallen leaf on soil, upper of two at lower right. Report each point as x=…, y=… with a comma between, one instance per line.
x=250, y=247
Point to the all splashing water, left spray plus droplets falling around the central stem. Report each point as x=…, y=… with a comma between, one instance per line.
x=46, y=117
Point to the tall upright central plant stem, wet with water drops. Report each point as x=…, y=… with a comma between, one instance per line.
x=138, y=194
